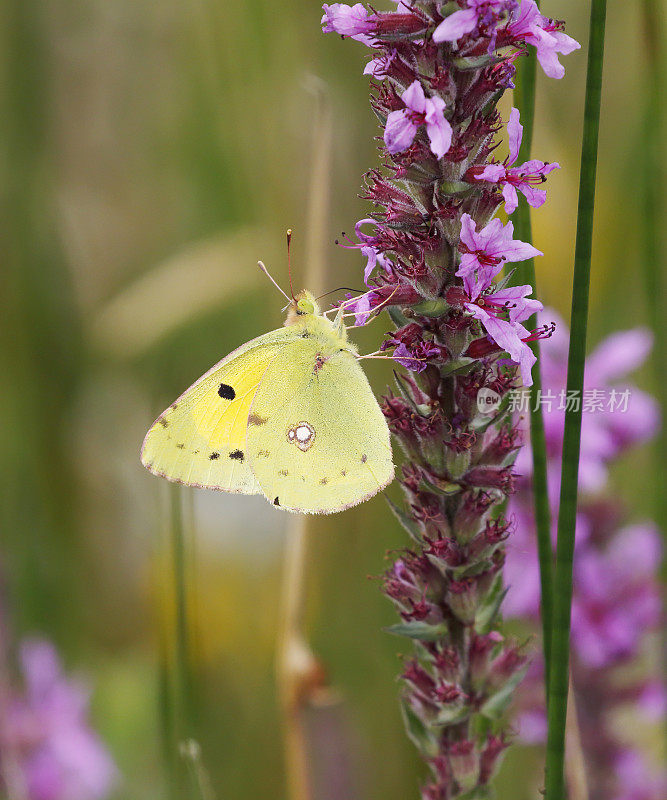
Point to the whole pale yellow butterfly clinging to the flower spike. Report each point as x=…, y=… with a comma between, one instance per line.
x=289, y=415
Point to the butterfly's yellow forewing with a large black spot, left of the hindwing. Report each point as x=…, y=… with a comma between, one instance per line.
x=200, y=439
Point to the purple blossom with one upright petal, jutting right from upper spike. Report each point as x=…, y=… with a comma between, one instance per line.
x=524, y=178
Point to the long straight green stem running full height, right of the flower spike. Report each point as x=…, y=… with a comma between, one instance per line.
x=560, y=643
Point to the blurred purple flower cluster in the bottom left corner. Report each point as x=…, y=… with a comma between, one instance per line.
x=60, y=755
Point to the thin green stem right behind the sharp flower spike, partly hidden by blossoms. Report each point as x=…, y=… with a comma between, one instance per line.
x=525, y=102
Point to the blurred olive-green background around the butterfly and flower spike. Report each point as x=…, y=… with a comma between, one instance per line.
x=151, y=153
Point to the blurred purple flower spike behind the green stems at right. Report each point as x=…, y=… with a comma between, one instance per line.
x=616, y=602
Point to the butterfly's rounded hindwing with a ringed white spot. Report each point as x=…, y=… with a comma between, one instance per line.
x=317, y=440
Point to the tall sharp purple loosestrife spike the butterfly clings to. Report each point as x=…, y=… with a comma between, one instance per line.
x=432, y=260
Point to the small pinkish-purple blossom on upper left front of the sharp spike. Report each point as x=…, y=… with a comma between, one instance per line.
x=402, y=125
